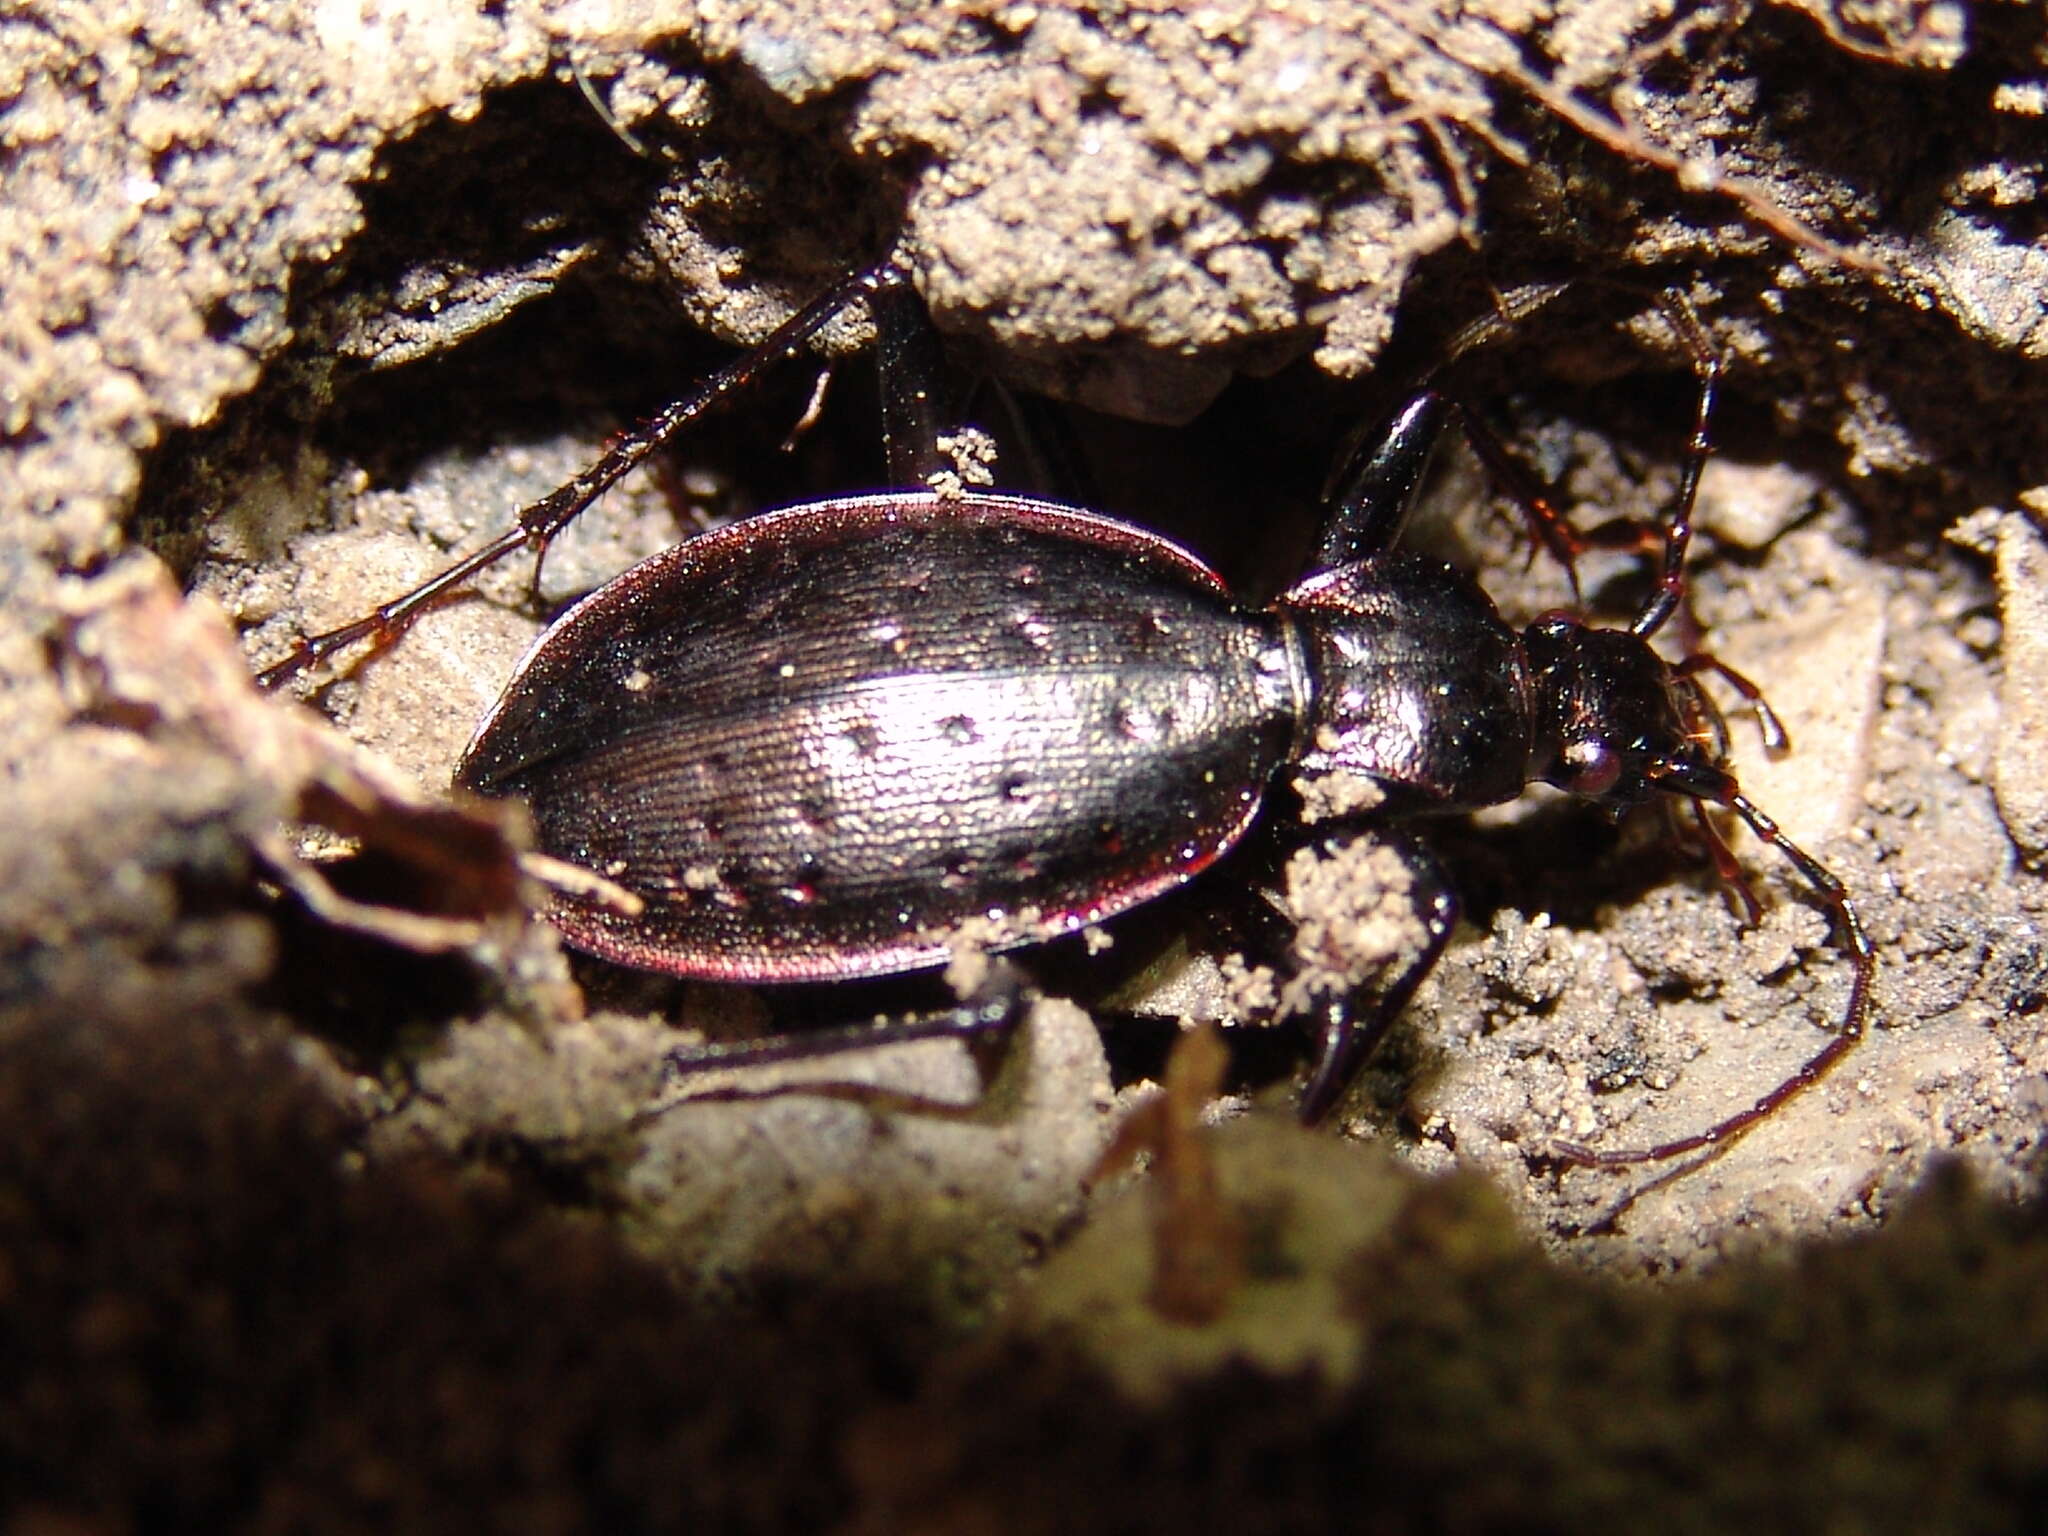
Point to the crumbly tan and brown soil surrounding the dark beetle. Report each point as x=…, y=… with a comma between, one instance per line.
x=349, y=1199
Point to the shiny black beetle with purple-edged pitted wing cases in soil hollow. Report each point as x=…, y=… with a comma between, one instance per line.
x=830, y=740
